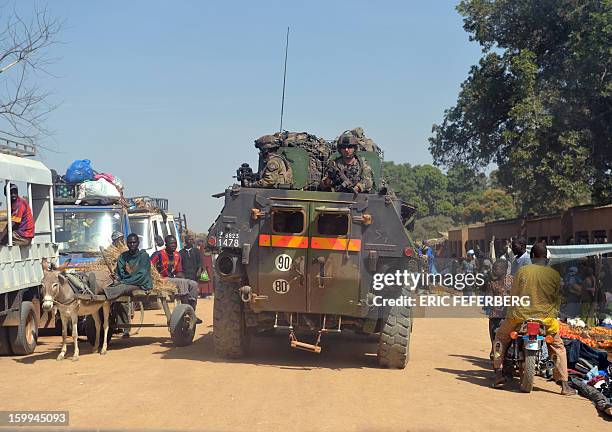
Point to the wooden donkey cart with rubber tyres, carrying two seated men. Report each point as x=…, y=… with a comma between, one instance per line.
x=180, y=321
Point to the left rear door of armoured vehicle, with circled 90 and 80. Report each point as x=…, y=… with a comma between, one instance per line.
x=282, y=253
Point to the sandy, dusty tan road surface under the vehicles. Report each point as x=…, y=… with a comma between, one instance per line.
x=146, y=383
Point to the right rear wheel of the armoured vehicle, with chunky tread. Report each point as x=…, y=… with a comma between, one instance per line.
x=394, y=341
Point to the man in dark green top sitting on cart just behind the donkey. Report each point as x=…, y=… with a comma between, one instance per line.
x=133, y=271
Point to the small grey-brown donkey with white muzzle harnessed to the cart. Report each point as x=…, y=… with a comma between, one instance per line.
x=57, y=292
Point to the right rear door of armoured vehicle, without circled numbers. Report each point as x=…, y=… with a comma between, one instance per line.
x=333, y=261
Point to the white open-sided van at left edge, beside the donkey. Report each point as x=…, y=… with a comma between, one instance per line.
x=21, y=270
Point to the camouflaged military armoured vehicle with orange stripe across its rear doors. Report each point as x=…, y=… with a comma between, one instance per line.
x=303, y=262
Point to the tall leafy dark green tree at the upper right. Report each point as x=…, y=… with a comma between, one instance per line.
x=538, y=104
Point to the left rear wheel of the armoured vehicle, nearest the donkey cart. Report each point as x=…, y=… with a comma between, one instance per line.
x=229, y=328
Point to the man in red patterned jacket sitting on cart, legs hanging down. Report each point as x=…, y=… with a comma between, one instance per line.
x=169, y=264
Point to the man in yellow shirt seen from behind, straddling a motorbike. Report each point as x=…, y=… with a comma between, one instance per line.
x=542, y=284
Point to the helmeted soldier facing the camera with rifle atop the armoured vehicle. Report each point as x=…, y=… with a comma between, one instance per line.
x=348, y=173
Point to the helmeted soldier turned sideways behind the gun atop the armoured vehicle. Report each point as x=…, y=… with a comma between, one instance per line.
x=277, y=170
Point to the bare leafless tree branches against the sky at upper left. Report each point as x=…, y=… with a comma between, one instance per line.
x=23, y=54
